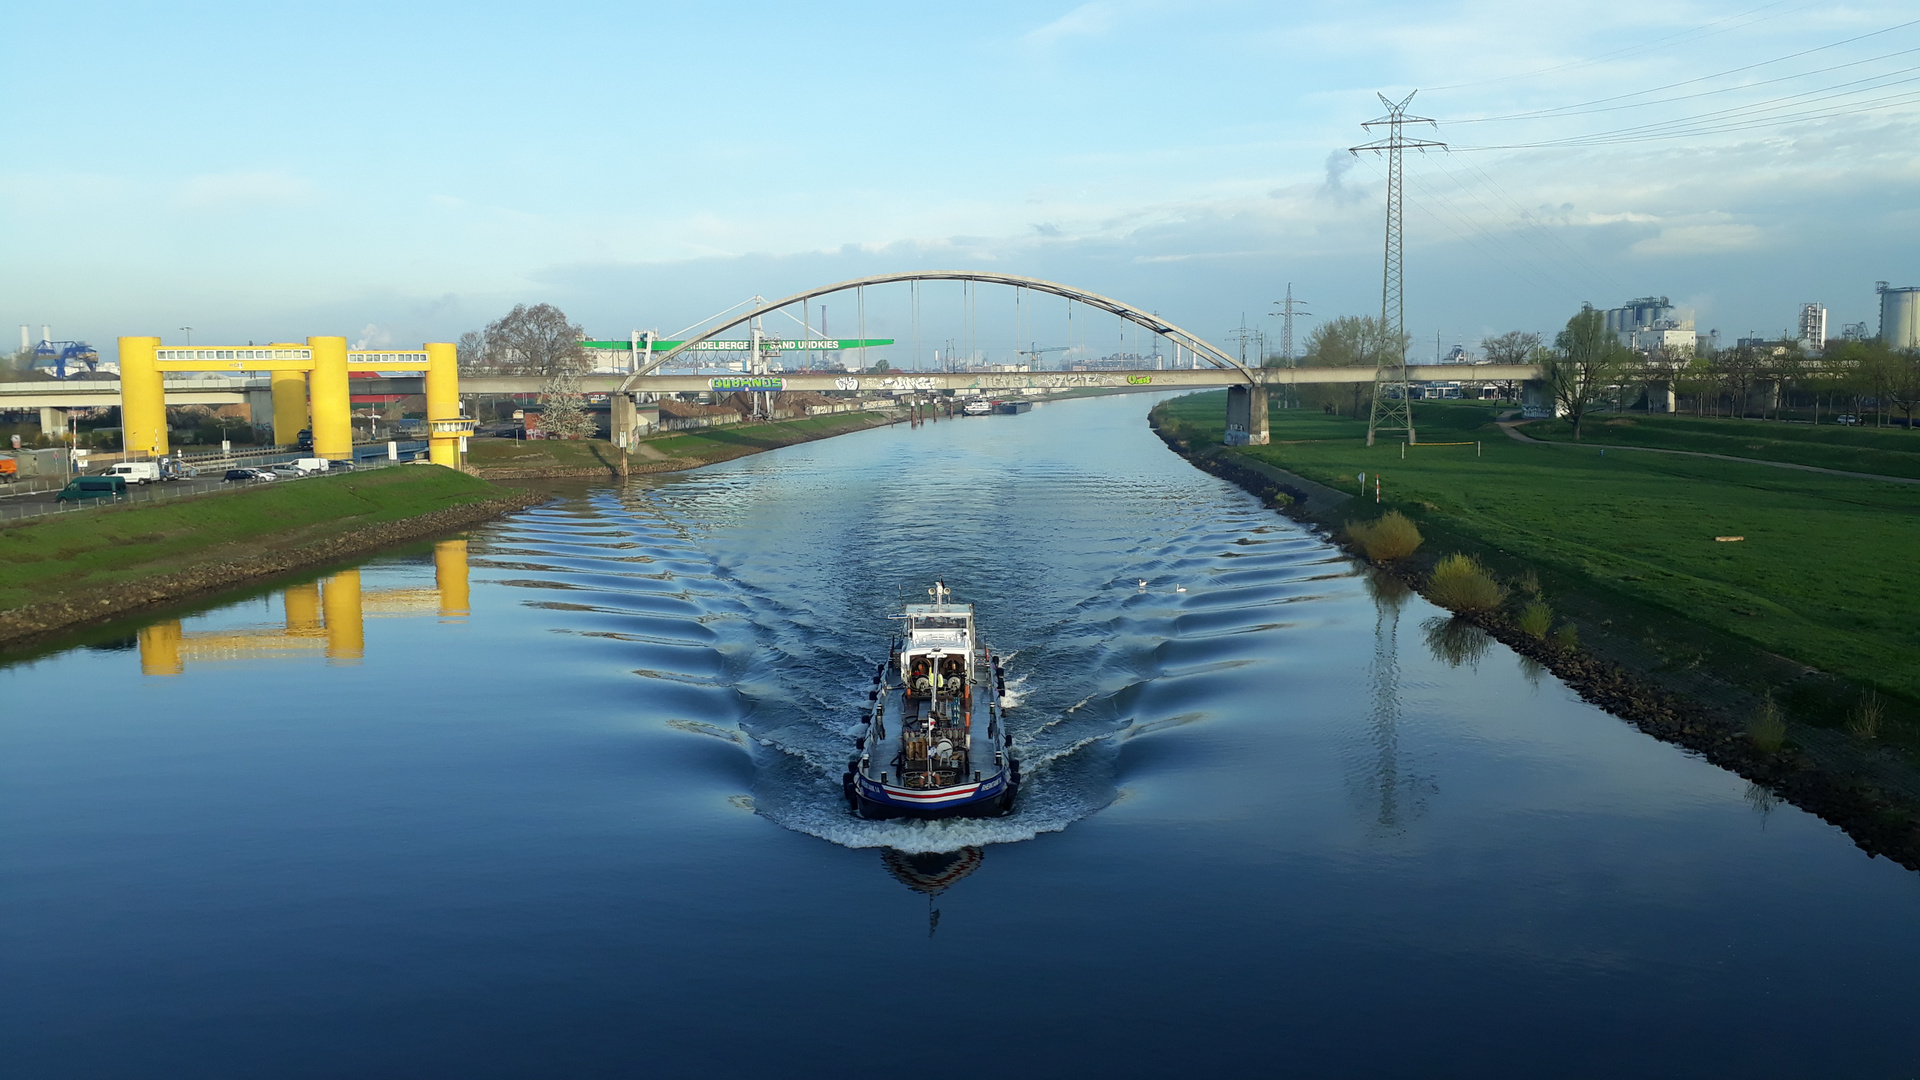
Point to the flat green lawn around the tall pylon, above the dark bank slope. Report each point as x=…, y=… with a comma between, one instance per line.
x=1823, y=574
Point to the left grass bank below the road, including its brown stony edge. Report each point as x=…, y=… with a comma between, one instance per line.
x=66, y=572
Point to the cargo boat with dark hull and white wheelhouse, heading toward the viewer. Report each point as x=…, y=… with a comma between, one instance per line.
x=936, y=741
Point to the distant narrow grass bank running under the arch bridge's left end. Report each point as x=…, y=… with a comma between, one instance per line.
x=667, y=453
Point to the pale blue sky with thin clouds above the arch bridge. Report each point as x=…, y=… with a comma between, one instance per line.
x=406, y=172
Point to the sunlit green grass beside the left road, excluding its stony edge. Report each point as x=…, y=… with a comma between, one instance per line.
x=99, y=549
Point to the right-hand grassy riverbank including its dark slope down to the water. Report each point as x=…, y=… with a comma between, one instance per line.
x=1810, y=608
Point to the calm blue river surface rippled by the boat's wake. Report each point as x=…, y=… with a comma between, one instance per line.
x=564, y=800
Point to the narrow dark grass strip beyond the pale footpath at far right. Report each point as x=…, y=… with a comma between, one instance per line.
x=1890, y=453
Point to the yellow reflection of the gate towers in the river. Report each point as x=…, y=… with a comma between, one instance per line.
x=325, y=618
